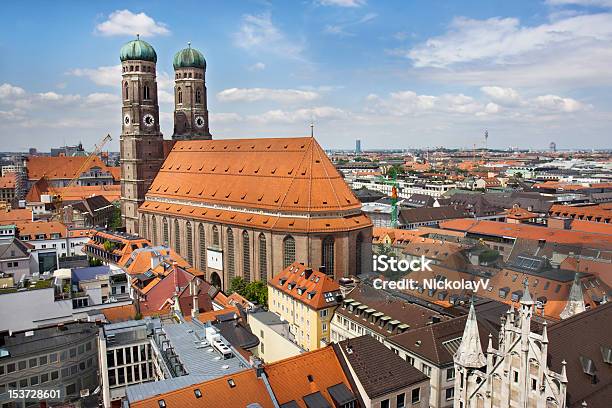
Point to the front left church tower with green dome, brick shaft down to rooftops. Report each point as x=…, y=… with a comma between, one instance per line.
x=141, y=140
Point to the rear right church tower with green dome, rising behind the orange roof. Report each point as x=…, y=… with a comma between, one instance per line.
x=190, y=106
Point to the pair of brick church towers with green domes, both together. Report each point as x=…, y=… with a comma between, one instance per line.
x=142, y=145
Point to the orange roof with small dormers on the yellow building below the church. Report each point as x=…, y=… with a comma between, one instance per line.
x=319, y=283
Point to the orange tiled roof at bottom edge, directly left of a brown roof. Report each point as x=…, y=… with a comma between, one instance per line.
x=290, y=381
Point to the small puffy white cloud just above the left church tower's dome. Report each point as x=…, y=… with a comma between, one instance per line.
x=124, y=22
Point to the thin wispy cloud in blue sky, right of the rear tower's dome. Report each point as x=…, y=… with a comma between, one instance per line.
x=258, y=34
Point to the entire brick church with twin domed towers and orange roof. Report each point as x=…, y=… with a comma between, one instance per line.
x=233, y=207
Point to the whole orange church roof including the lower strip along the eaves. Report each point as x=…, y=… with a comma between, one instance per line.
x=270, y=176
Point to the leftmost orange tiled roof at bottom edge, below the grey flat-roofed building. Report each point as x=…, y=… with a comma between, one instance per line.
x=216, y=393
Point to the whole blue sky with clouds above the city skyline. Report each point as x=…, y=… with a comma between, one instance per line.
x=391, y=73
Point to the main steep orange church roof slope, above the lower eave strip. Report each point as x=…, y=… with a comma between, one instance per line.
x=279, y=174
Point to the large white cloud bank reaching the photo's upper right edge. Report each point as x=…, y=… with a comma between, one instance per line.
x=504, y=50
